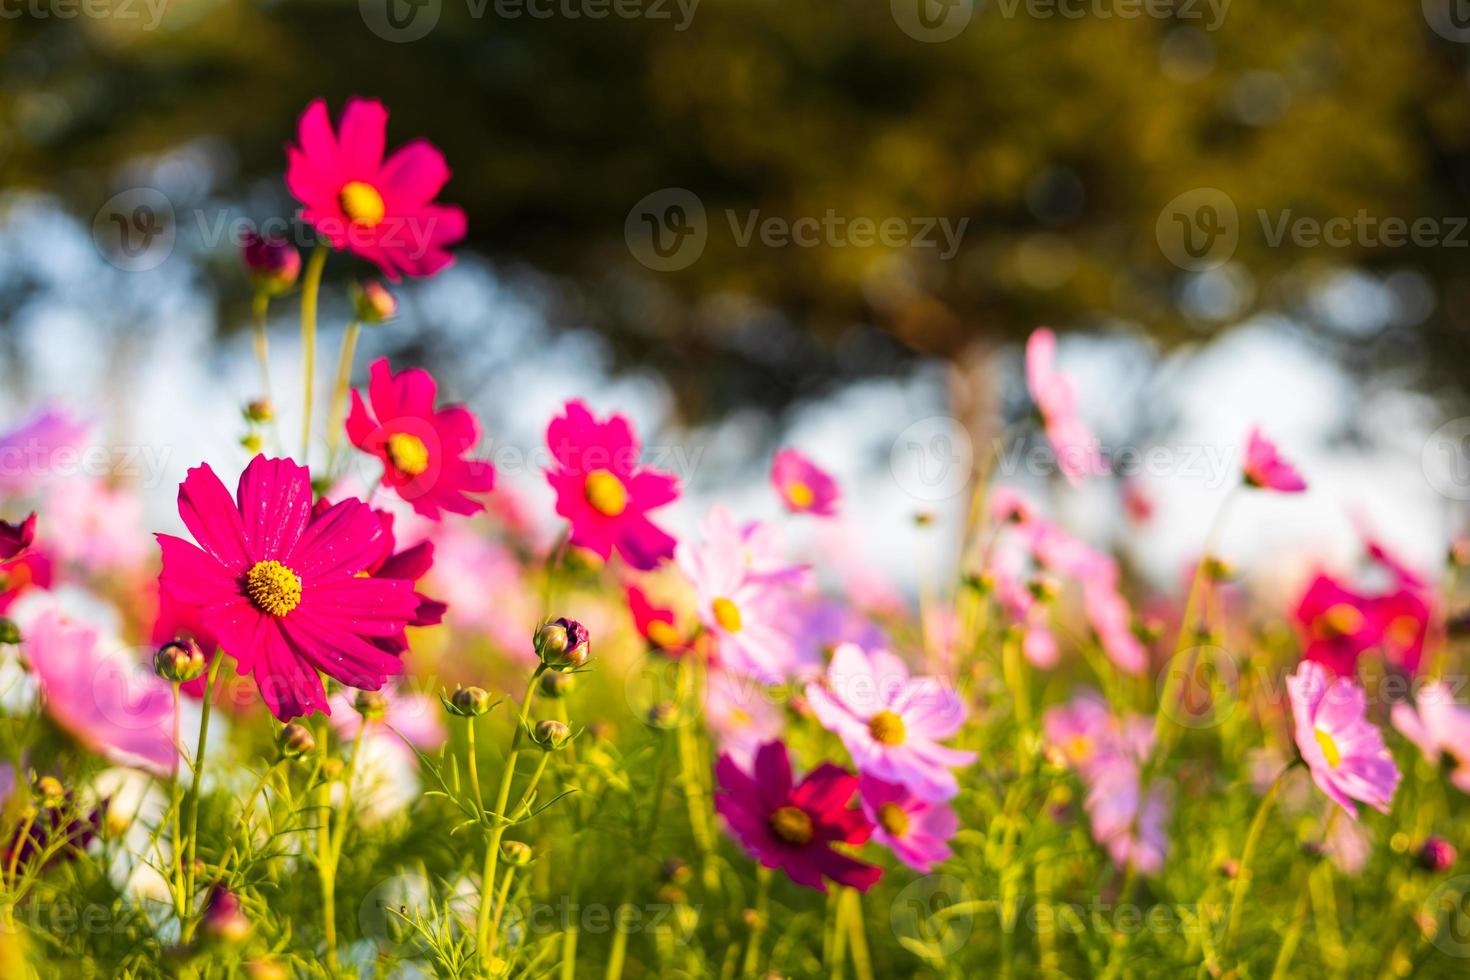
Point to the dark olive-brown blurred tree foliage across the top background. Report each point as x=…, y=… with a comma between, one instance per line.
x=1059, y=139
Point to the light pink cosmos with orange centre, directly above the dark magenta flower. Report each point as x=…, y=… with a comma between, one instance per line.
x=893, y=724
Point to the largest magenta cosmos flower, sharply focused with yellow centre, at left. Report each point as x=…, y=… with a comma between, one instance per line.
x=286, y=591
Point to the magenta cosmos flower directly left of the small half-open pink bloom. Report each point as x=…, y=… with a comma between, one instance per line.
x=603, y=491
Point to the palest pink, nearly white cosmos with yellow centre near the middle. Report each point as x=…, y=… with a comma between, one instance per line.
x=746, y=597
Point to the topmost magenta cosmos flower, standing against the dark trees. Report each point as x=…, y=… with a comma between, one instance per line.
x=381, y=211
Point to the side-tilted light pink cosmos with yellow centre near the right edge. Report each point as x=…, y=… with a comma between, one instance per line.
x=1344, y=753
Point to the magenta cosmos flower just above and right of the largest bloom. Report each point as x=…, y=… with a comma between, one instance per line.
x=423, y=449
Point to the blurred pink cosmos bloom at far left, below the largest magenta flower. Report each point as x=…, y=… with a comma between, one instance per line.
x=110, y=703
